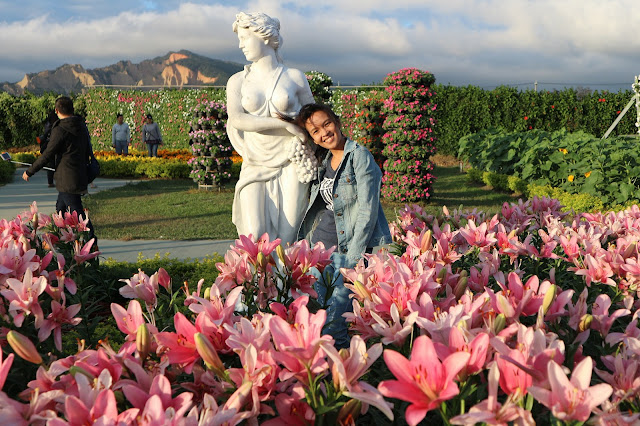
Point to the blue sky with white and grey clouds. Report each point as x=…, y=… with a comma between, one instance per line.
x=486, y=43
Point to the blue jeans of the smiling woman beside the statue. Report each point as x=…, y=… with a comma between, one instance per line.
x=337, y=302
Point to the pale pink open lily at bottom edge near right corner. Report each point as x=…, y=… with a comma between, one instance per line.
x=572, y=399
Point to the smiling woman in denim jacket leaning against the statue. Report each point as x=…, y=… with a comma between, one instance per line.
x=344, y=209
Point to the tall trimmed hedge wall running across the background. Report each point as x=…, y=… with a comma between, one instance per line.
x=460, y=111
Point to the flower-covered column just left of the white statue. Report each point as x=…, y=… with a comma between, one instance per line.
x=210, y=145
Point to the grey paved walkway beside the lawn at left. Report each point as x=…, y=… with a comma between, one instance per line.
x=17, y=196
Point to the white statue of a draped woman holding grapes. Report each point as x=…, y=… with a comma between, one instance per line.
x=269, y=196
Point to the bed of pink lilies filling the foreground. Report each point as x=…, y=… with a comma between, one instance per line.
x=469, y=319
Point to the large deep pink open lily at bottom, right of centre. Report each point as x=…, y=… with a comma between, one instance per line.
x=423, y=381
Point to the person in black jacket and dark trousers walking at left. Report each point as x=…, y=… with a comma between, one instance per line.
x=69, y=145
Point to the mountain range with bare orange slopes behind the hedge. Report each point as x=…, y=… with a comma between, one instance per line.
x=175, y=69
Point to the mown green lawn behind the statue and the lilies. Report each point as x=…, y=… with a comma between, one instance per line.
x=177, y=210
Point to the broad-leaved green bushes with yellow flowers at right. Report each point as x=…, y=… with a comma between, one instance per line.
x=574, y=162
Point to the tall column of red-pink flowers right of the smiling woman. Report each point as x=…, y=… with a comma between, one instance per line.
x=409, y=138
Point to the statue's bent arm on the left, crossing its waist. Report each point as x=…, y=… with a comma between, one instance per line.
x=239, y=119
